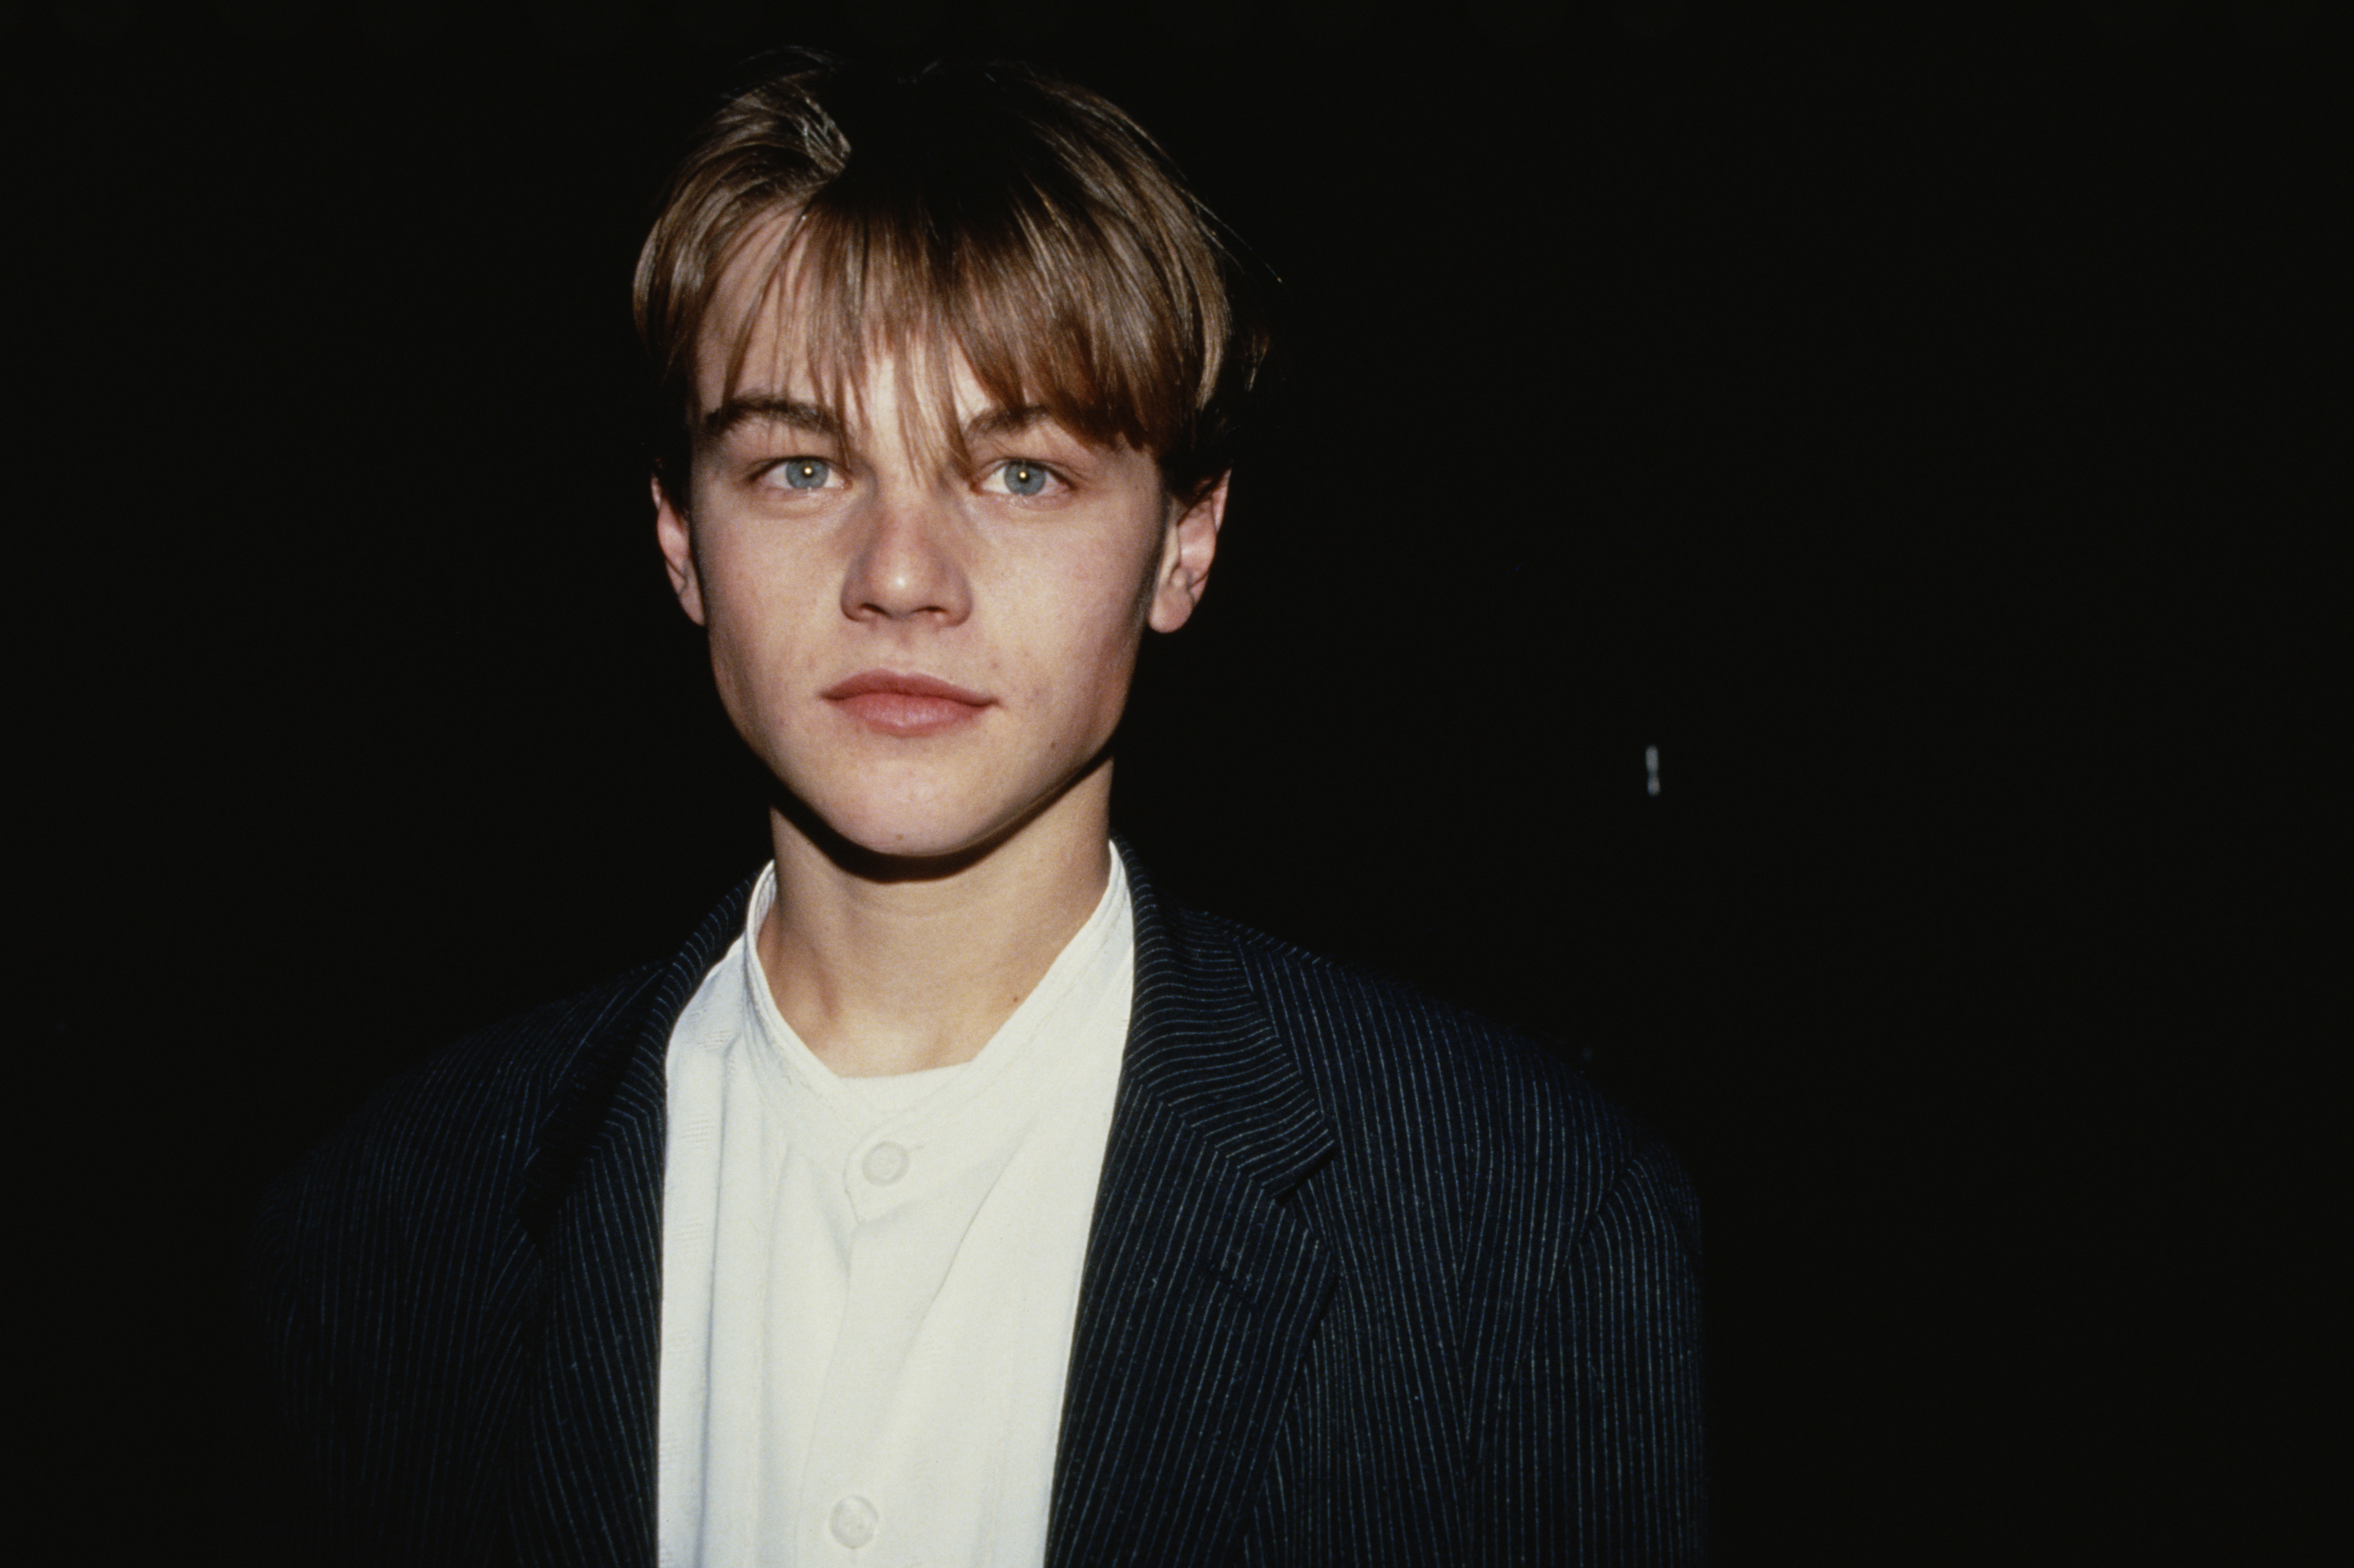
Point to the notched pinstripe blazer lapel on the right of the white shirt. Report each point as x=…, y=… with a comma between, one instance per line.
x=1202, y=1289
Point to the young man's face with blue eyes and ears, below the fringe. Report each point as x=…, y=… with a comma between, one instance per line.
x=929, y=651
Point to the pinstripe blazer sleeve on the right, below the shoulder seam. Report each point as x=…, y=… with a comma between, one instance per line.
x=1600, y=1456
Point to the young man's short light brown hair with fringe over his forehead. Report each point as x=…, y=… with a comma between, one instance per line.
x=1020, y=220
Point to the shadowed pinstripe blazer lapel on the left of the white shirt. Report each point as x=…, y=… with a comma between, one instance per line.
x=585, y=1475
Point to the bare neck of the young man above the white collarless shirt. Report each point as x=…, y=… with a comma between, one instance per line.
x=900, y=974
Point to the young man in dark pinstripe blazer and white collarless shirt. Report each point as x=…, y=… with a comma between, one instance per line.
x=952, y=1197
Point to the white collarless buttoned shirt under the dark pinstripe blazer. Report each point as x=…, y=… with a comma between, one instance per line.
x=870, y=1284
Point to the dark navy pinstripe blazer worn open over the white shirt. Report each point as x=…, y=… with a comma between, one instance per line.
x=1371, y=1282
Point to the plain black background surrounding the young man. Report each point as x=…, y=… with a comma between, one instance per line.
x=1908, y=420
